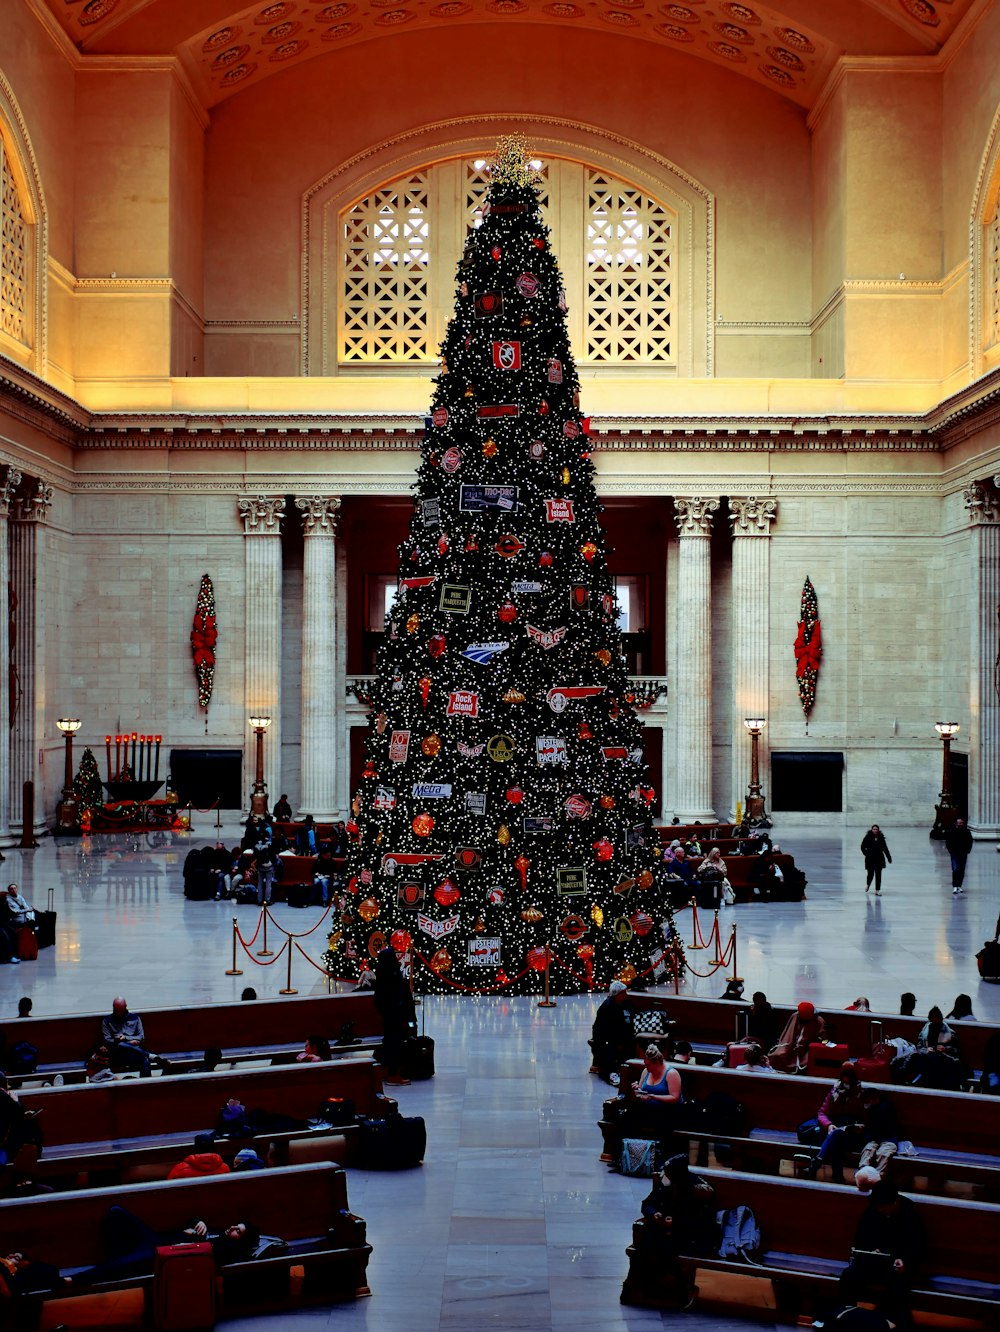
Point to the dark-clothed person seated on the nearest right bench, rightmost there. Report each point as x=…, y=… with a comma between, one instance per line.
x=886, y=1255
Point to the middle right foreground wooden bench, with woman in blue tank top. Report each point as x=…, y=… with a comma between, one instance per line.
x=955, y=1136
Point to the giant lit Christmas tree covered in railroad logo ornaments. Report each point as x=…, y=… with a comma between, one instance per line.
x=504, y=811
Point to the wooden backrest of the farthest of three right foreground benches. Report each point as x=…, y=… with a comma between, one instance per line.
x=716, y=1021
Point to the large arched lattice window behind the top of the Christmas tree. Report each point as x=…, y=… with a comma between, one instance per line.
x=400, y=244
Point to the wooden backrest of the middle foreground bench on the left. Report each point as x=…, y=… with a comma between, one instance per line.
x=146, y=1108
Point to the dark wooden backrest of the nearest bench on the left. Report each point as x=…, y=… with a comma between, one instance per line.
x=294, y=1202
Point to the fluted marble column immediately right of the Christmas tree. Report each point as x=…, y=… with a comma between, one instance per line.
x=692, y=679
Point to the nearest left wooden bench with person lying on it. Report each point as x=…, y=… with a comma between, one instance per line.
x=307, y=1206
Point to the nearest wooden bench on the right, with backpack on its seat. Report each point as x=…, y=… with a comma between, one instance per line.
x=808, y=1233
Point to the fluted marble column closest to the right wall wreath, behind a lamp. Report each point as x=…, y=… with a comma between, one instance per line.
x=752, y=523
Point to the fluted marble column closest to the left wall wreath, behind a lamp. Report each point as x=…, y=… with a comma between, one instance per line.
x=262, y=517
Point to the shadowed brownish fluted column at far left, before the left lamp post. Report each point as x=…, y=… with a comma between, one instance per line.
x=29, y=696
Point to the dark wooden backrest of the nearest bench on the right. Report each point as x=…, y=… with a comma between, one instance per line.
x=820, y=1221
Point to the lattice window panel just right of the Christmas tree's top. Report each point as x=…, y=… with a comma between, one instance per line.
x=629, y=282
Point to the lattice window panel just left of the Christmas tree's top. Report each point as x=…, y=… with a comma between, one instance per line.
x=385, y=258
